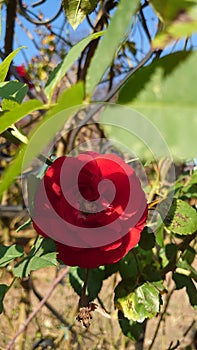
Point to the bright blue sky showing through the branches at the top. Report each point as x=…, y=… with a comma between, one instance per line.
x=49, y=9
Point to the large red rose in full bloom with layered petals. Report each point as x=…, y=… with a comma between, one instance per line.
x=93, y=206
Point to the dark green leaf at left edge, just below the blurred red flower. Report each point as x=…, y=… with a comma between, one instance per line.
x=13, y=90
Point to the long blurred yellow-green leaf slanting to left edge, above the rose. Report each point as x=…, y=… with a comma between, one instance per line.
x=68, y=104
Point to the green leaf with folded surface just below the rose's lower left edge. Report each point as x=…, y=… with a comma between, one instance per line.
x=43, y=254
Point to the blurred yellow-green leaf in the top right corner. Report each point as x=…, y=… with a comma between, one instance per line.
x=180, y=20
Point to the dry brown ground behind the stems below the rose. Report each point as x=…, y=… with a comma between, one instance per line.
x=104, y=333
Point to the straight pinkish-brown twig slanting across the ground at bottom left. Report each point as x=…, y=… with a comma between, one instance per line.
x=37, y=309
